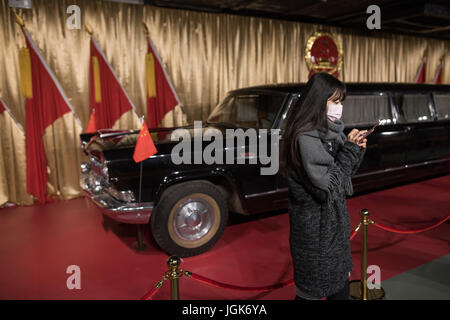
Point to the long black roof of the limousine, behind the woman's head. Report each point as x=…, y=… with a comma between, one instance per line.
x=351, y=87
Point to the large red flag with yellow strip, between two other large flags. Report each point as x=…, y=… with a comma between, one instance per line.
x=107, y=96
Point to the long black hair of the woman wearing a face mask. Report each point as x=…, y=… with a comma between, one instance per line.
x=309, y=113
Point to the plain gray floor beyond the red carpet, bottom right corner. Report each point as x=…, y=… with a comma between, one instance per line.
x=430, y=281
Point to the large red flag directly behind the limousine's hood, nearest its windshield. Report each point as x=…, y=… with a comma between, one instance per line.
x=161, y=96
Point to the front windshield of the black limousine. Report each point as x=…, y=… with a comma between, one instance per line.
x=250, y=110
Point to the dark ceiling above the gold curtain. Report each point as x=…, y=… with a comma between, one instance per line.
x=420, y=18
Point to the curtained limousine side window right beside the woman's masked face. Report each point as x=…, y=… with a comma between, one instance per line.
x=366, y=109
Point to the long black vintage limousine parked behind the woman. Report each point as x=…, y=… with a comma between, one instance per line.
x=186, y=205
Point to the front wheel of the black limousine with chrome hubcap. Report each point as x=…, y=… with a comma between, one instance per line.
x=189, y=218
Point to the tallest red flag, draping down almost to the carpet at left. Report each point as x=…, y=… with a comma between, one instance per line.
x=48, y=103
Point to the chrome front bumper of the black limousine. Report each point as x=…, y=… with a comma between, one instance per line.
x=125, y=212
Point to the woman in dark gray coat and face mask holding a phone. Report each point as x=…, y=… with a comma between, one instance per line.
x=319, y=163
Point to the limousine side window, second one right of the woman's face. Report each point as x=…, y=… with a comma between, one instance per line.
x=414, y=107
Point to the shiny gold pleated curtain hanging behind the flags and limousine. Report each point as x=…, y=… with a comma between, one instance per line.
x=205, y=54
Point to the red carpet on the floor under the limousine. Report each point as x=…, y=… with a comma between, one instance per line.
x=38, y=243
